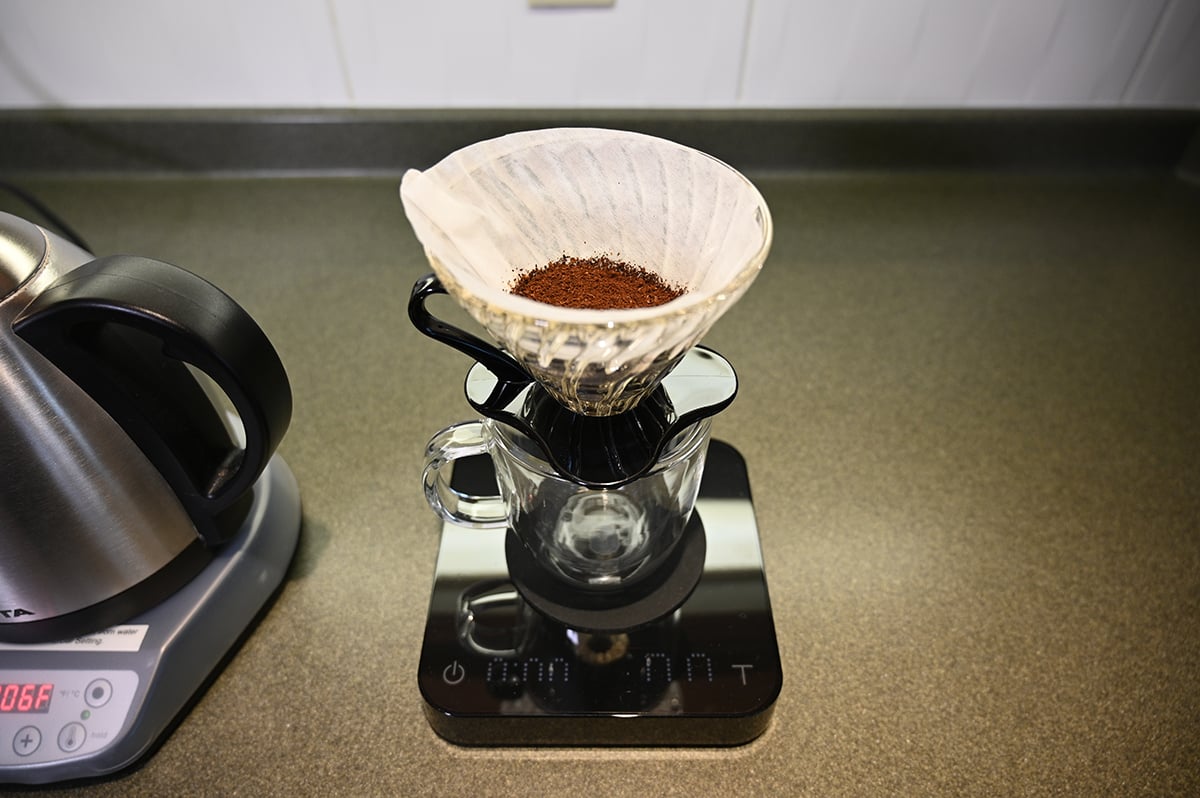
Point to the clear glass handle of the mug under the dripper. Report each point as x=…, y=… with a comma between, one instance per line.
x=455, y=442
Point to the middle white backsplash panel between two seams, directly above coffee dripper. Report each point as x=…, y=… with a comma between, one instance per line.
x=638, y=53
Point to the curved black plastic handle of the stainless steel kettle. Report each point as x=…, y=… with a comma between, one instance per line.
x=122, y=328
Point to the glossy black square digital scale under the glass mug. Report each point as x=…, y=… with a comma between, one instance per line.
x=496, y=673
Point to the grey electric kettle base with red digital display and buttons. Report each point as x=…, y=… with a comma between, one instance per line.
x=95, y=705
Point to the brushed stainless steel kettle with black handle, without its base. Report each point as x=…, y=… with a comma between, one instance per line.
x=121, y=470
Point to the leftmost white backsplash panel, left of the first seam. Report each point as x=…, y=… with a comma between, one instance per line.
x=153, y=53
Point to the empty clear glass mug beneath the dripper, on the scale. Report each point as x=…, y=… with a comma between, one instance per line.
x=590, y=538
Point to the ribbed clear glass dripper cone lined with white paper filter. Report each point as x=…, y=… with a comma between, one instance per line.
x=494, y=211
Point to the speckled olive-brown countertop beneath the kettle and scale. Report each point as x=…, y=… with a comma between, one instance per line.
x=969, y=404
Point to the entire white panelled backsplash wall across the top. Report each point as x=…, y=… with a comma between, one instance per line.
x=628, y=55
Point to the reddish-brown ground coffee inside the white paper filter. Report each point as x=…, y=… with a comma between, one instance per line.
x=598, y=284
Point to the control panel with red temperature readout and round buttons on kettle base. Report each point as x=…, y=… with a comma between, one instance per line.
x=50, y=716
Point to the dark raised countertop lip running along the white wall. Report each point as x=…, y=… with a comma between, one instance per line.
x=242, y=142
